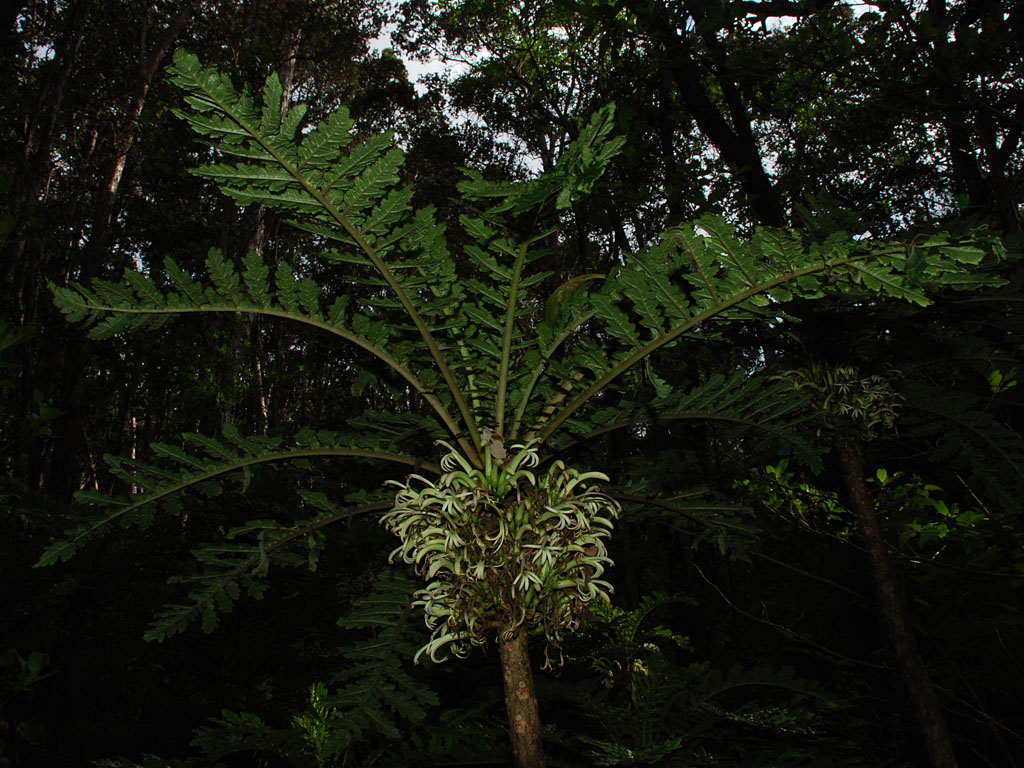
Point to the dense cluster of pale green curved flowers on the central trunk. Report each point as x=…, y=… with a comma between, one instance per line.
x=503, y=546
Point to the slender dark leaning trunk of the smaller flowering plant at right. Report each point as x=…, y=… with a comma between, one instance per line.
x=894, y=610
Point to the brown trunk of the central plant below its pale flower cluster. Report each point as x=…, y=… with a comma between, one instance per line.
x=521, y=701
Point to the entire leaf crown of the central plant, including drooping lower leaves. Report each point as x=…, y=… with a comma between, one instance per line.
x=478, y=349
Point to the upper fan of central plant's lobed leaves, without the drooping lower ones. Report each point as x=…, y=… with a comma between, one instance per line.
x=495, y=352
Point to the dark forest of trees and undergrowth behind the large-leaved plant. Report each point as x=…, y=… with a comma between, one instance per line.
x=746, y=631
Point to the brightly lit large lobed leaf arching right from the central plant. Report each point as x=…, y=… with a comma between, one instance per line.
x=701, y=277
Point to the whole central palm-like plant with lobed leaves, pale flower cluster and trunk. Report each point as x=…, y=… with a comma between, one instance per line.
x=507, y=534
